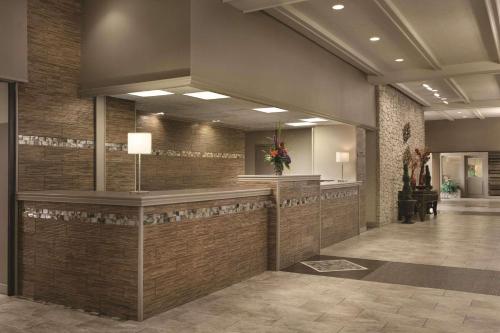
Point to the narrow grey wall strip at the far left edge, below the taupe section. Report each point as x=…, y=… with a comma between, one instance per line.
x=4, y=189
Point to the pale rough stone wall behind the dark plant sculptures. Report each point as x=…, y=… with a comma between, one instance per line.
x=394, y=110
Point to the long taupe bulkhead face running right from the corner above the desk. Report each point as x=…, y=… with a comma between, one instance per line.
x=256, y=56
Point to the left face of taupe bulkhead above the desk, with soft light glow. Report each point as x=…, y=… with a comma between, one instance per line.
x=128, y=41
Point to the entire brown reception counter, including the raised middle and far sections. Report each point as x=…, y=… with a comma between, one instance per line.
x=136, y=255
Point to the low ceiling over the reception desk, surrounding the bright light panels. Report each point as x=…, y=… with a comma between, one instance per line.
x=231, y=112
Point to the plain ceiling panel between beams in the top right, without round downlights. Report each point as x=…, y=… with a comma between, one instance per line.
x=457, y=31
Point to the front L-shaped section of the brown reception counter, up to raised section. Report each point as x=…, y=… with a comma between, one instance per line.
x=133, y=256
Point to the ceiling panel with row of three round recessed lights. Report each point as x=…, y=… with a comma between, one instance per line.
x=356, y=23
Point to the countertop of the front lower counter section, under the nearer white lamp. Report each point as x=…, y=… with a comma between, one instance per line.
x=142, y=199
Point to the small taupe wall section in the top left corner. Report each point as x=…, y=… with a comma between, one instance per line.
x=13, y=40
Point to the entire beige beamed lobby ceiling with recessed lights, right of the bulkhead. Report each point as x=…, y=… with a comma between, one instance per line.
x=453, y=46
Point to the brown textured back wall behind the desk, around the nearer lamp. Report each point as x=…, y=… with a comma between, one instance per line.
x=185, y=154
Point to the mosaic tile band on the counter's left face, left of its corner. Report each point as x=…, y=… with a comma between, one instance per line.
x=79, y=216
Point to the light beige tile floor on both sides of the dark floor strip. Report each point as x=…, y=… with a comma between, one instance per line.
x=297, y=303
